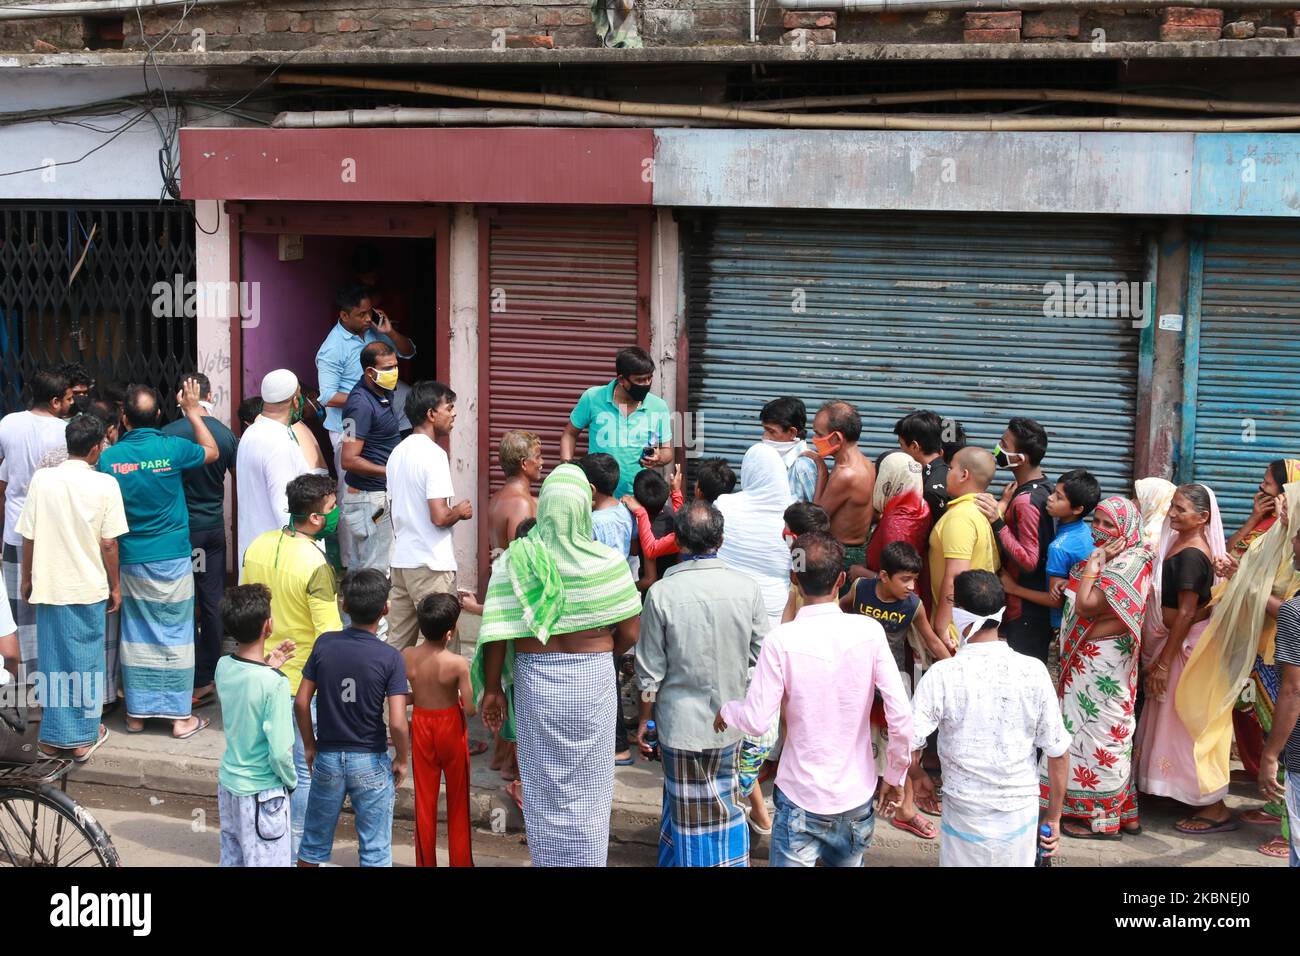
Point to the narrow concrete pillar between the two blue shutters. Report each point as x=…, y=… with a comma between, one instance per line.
x=1160, y=382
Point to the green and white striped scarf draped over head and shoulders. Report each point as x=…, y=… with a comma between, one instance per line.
x=558, y=579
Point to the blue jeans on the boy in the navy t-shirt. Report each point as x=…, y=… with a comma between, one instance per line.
x=366, y=780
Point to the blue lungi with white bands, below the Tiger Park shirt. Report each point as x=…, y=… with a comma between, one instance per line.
x=158, y=638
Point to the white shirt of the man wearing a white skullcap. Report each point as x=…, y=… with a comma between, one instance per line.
x=268, y=461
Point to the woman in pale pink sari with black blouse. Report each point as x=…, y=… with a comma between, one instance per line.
x=1177, y=618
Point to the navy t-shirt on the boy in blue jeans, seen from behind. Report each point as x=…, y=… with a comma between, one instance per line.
x=354, y=673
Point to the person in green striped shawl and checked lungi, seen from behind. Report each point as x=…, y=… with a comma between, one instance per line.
x=558, y=603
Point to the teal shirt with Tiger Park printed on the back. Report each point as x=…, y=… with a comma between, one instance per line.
x=148, y=466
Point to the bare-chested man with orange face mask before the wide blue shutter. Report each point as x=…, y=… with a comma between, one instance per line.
x=847, y=492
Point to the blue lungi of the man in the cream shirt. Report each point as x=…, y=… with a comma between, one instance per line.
x=72, y=673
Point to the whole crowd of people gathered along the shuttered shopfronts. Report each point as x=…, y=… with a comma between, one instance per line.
x=885, y=637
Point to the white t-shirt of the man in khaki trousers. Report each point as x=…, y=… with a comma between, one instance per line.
x=418, y=471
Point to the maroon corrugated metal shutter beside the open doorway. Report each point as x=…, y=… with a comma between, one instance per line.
x=565, y=293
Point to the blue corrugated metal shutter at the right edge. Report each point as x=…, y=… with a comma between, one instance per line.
x=1242, y=380
